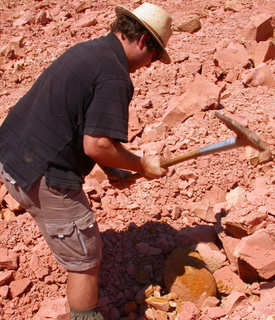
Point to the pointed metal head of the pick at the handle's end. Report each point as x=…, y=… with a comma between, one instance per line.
x=245, y=136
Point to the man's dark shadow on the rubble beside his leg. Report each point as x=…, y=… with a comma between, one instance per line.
x=127, y=268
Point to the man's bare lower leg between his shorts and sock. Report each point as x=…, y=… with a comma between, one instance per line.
x=82, y=289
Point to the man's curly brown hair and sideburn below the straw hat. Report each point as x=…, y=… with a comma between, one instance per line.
x=133, y=30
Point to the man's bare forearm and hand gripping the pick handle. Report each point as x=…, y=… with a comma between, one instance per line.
x=111, y=153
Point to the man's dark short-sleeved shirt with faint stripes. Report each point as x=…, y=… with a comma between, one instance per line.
x=87, y=90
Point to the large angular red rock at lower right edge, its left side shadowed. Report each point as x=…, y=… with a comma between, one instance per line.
x=258, y=252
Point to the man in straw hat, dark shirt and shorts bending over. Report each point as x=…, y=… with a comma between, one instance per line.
x=76, y=115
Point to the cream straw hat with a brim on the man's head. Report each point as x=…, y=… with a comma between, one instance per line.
x=156, y=20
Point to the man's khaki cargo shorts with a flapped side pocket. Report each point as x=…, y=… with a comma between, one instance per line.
x=65, y=220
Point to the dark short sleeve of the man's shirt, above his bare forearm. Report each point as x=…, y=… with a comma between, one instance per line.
x=107, y=114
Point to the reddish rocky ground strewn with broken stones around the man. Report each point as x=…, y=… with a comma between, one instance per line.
x=197, y=243
